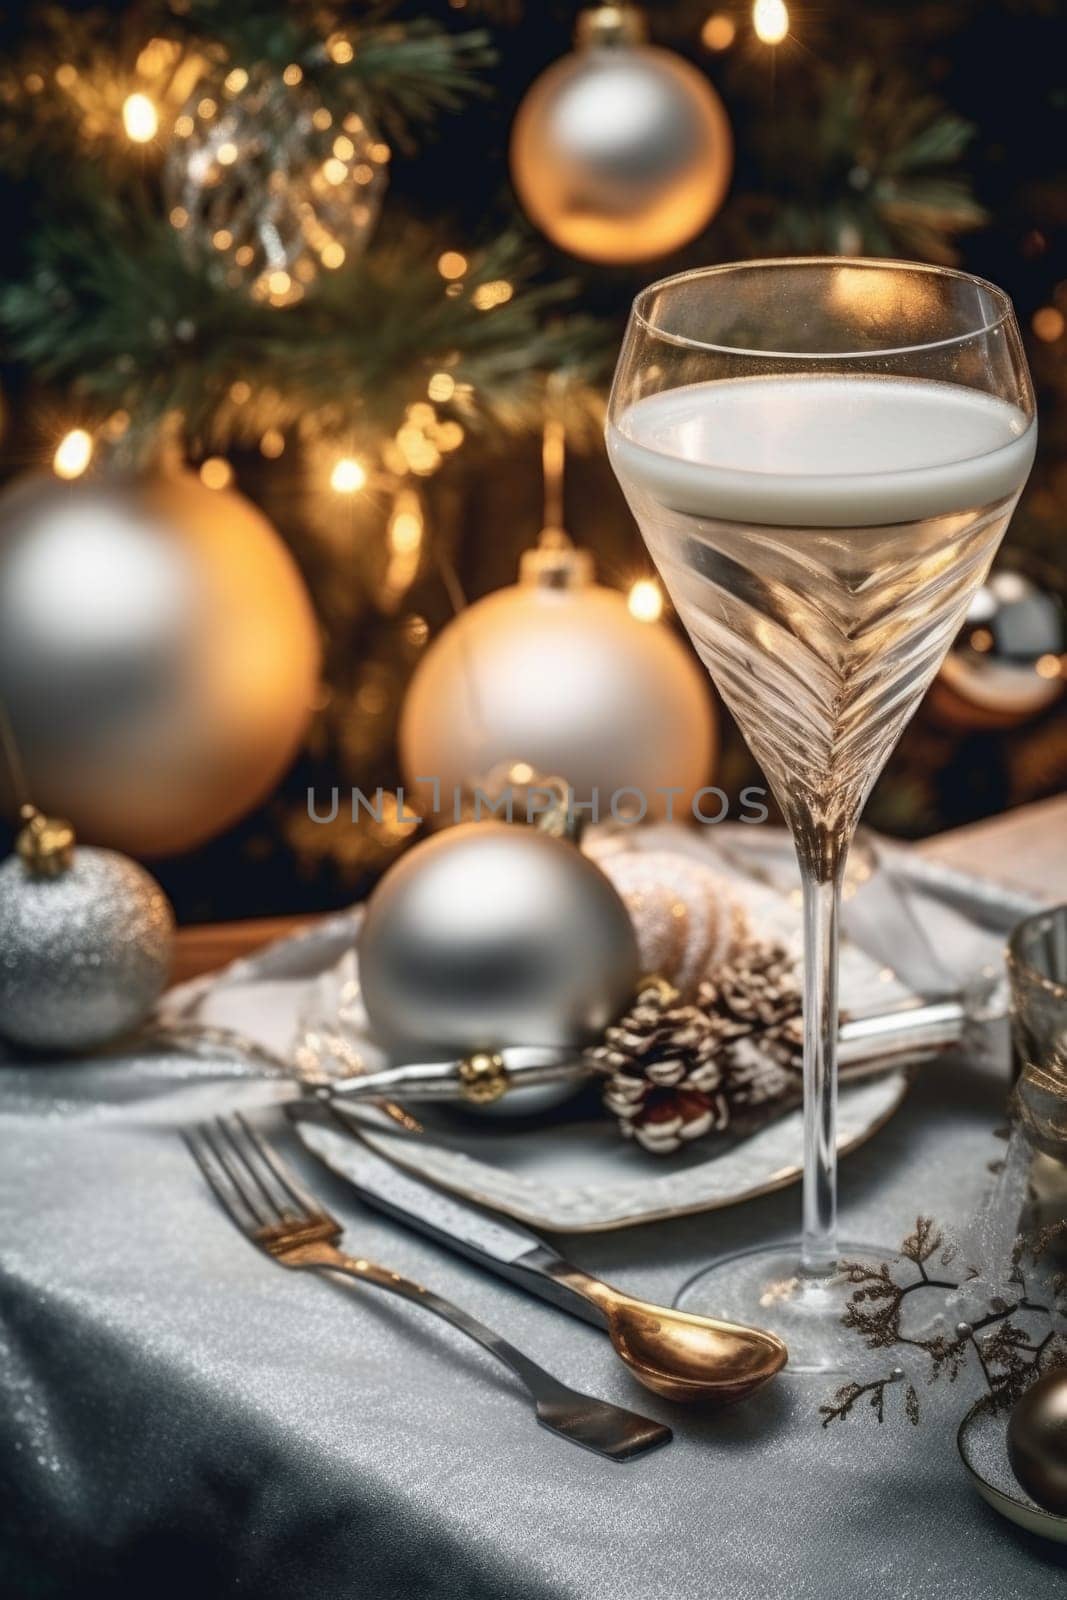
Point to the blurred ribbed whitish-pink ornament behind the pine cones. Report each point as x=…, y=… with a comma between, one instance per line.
x=684, y=914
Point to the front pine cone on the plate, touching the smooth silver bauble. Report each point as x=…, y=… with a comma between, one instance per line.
x=665, y=1070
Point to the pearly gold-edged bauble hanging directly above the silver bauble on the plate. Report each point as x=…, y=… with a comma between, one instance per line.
x=559, y=674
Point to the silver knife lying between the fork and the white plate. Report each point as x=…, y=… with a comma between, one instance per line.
x=492, y=1241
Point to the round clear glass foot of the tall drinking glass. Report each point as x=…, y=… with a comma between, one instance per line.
x=769, y=1289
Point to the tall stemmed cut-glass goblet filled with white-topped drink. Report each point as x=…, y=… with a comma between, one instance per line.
x=823, y=457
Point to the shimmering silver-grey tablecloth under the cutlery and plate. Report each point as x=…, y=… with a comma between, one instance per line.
x=180, y=1417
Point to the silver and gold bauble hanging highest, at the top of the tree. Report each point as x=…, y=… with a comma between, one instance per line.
x=621, y=153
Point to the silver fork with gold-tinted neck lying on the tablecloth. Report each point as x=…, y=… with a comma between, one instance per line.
x=274, y=1209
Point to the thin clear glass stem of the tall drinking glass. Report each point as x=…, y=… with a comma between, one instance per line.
x=823, y=897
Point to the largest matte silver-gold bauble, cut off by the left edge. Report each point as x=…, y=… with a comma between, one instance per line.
x=158, y=655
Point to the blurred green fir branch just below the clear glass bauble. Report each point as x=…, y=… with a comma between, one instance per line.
x=111, y=310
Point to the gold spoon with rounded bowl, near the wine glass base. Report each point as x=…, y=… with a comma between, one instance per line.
x=673, y=1353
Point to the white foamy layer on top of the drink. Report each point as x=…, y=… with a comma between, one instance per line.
x=823, y=450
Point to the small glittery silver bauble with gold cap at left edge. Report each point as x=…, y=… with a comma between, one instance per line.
x=84, y=956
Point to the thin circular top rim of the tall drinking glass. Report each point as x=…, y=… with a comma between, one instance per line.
x=865, y=263
